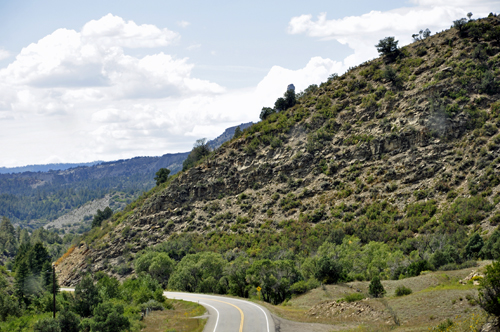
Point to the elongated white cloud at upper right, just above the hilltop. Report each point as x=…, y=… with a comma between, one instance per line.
x=362, y=32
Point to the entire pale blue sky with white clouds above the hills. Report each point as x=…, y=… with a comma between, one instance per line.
x=107, y=80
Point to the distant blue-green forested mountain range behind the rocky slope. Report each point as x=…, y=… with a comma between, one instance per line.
x=31, y=196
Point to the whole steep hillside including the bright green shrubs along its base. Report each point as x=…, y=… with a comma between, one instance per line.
x=390, y=169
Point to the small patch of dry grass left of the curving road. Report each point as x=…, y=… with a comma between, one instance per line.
x=180, y=319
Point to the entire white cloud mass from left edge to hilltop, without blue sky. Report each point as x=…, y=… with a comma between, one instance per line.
x=78, y=96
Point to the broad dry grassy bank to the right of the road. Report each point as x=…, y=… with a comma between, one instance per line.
x=437, y=296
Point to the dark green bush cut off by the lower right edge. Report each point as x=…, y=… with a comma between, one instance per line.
x=489, y=294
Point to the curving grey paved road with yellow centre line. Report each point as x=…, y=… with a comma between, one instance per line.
x=229, y=315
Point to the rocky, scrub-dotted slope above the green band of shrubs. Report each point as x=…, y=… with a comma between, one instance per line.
x=396, y=147
